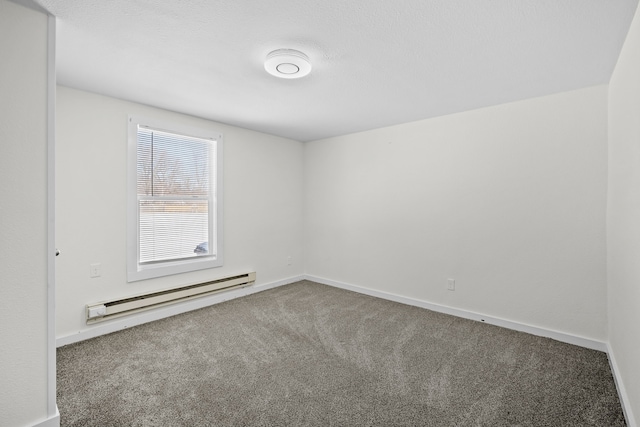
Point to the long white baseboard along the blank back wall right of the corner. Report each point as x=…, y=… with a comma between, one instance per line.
x=516, y=326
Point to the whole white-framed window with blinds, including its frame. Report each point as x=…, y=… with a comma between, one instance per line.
x=174, y=200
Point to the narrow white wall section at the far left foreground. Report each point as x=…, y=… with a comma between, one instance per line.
x=23, y=213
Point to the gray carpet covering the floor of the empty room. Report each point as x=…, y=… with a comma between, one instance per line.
x=306, y=354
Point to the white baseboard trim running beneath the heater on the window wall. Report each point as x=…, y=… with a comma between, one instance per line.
x=182, y=307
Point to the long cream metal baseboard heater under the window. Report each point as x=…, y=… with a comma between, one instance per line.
x=101, y=311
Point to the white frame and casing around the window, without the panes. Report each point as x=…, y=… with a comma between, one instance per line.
x=137, y=271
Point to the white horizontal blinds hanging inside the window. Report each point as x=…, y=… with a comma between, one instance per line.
x=176, y=196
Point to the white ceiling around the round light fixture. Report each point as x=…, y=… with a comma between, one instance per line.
x=375, y=62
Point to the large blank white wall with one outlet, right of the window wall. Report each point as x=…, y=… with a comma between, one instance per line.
x=507, y=200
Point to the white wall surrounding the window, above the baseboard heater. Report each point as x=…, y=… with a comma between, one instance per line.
x=262, y=204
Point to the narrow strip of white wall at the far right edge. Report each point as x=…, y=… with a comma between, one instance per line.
x=623, y=219
